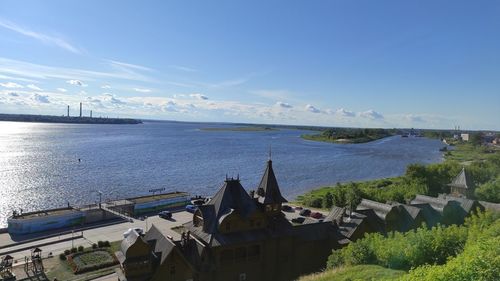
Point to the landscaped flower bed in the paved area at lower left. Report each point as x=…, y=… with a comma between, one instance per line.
x=91, y=260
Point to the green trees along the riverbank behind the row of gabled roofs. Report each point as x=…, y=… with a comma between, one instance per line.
x=418, y=179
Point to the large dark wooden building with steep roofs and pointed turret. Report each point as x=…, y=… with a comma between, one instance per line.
x=235, y=236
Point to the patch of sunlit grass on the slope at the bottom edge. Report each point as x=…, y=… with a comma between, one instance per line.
x=358, y=272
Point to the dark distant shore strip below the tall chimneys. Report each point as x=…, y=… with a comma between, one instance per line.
x=66, y=119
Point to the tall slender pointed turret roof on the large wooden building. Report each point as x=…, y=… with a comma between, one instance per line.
x=268, y=191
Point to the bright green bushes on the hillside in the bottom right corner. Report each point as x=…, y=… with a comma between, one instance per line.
x=467, y=252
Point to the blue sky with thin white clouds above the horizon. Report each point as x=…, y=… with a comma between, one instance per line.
x=425, y=64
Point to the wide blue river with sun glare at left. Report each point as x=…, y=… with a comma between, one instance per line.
x=39, y=165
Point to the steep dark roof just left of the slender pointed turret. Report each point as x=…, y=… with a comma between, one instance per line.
x=232, y=197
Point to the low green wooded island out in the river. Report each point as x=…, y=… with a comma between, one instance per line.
x=350, y=135
